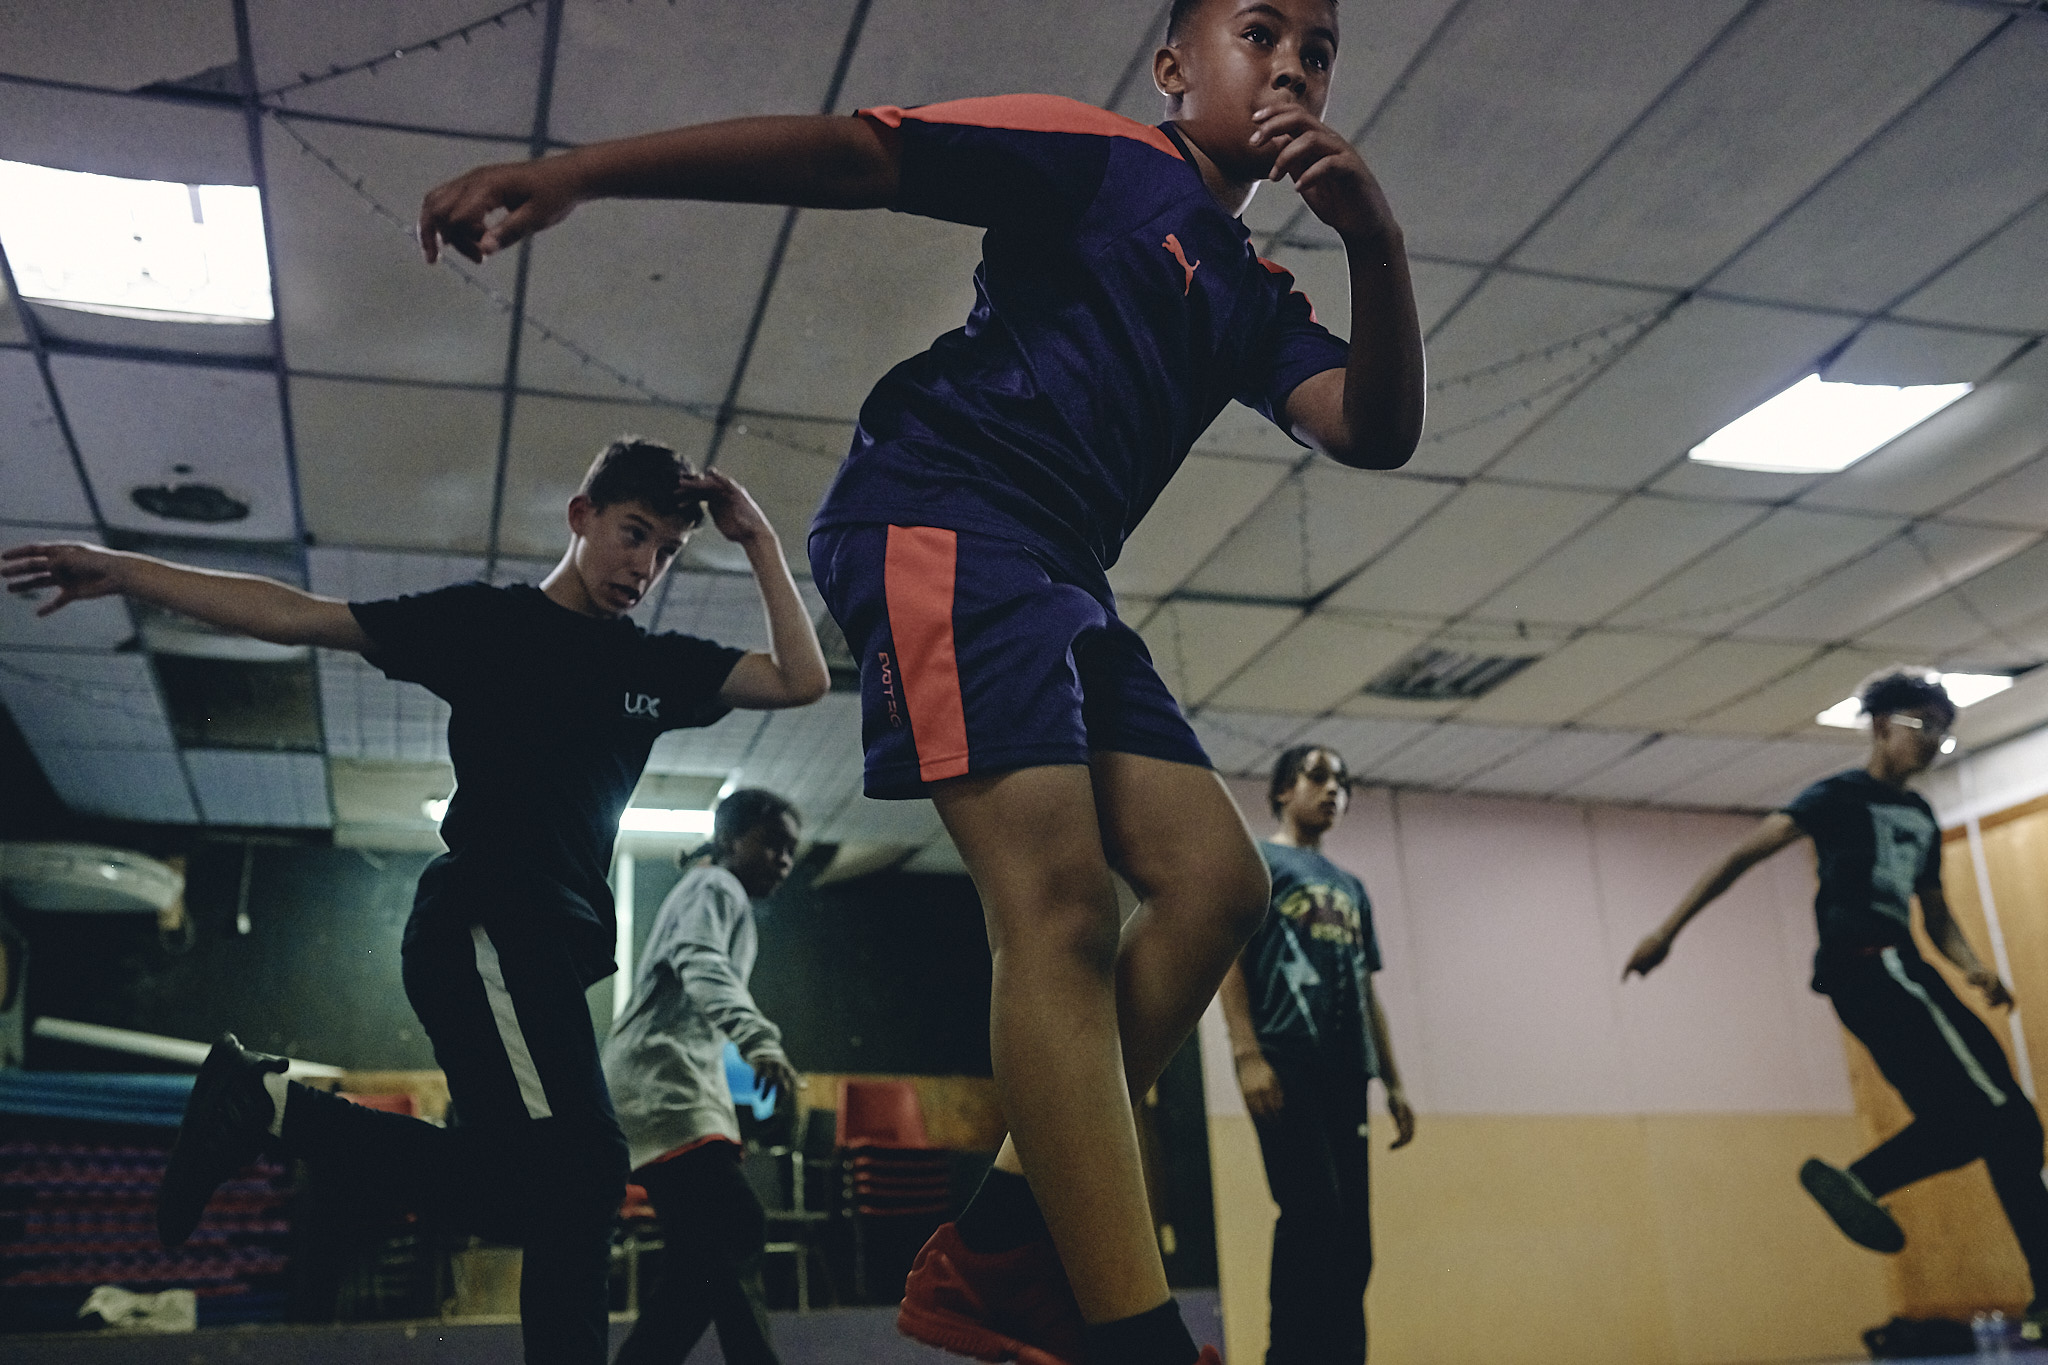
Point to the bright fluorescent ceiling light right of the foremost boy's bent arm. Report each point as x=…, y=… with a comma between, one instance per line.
x=1816, y=429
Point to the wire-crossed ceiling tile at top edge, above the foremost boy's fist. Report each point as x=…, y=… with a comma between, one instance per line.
x=482, y=85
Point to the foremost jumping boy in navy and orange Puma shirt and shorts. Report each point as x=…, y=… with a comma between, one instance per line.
x=966, y=545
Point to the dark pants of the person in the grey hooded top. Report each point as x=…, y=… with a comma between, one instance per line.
x=714, y=1233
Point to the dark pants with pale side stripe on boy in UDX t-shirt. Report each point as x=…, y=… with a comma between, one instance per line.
x=536, y=1155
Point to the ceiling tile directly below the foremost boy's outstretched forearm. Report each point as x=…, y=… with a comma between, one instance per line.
x=620, y=275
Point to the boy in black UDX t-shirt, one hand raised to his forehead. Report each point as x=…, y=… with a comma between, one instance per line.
x=556, y=701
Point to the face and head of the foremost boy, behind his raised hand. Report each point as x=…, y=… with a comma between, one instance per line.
x=1236, y=58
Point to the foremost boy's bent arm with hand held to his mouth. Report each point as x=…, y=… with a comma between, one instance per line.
x=1369, y=414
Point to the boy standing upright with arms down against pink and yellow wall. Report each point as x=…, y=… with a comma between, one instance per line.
x=1310, y=1039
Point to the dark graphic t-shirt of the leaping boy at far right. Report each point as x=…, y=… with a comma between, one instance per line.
x=1877, y=844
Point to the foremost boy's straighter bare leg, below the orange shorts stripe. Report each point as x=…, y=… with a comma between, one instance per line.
x=1033, y=846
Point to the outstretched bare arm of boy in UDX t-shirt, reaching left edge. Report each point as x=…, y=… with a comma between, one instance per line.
x=239, y=603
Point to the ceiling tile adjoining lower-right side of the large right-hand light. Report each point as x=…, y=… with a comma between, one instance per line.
x=1957, y=451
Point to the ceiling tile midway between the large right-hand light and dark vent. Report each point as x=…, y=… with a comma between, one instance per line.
x=1615, y=560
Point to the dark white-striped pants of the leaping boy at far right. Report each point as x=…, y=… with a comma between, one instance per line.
x=1955, y=1080
